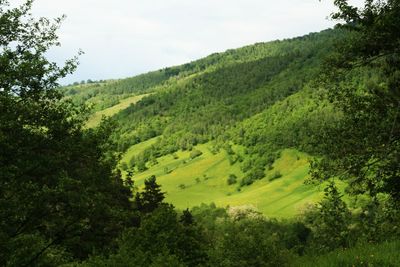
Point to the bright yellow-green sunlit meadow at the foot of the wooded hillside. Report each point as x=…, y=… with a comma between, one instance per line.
x=204, y=179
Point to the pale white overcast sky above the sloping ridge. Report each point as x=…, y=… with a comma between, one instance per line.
x=122, y=38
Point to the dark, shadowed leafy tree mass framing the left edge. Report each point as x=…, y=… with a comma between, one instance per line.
x=60, y=198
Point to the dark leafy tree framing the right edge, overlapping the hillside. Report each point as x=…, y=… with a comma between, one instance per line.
x=363, y=79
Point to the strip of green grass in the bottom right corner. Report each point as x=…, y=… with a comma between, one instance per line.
x=384, y=254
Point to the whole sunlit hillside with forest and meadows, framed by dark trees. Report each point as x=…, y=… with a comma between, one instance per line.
x=246, y=105
